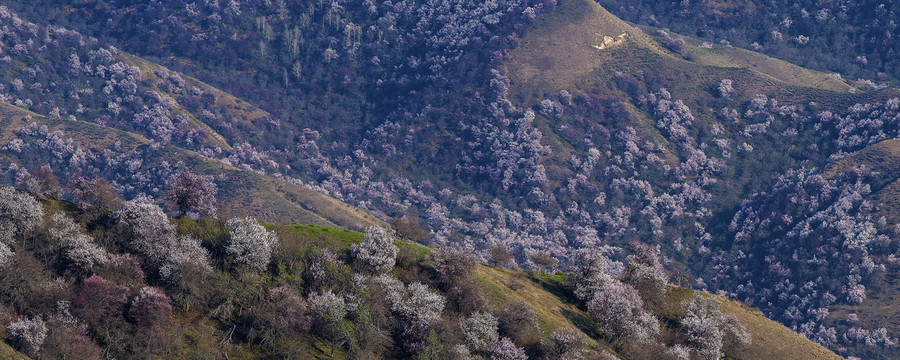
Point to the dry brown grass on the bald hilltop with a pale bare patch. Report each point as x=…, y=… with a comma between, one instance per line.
x=561, y=52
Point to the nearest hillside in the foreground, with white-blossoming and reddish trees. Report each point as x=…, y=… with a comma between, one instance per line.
x=81, y=282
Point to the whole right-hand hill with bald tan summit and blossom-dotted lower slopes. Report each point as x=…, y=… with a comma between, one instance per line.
x=577, y=49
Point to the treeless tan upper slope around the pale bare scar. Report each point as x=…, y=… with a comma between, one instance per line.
x=563, y=51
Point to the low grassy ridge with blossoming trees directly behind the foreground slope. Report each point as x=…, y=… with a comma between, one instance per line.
x=80, y=153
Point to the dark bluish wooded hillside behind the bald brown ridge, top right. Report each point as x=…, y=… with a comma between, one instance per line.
x=849, y=39
